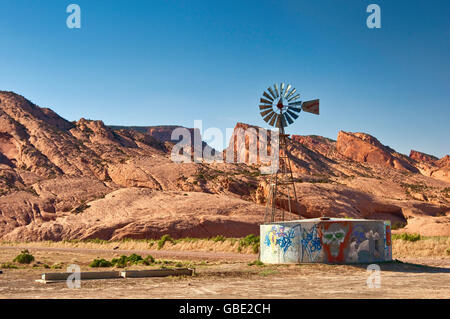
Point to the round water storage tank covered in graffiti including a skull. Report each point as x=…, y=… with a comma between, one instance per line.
x=342, y=241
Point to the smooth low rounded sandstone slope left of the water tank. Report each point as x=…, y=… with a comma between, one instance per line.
x=143, y=213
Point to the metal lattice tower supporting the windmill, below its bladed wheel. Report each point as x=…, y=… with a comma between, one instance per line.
x=281, y=177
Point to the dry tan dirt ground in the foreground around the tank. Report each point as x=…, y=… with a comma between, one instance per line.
x=227, y=275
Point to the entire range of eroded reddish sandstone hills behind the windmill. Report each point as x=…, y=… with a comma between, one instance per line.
x=84, y=179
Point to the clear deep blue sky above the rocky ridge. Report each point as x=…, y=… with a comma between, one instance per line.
x=172, y=62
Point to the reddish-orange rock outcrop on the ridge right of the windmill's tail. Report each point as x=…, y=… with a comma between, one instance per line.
x=365, y=148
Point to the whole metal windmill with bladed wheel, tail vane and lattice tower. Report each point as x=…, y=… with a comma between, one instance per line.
x=279, y=107
